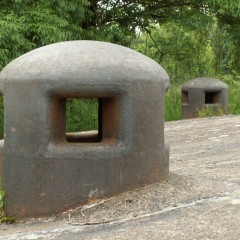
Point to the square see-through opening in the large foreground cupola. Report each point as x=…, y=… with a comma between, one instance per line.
x=90, y=119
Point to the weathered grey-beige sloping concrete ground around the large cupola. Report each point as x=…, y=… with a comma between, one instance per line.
x=201, y=200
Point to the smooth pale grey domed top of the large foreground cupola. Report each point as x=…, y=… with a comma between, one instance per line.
x=84, y=61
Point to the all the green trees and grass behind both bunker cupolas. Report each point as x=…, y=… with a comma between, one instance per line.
x=189, y=38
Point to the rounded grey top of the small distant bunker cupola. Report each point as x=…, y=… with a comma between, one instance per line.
x=205, y=83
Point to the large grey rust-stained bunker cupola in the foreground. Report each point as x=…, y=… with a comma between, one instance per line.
x=43, y=171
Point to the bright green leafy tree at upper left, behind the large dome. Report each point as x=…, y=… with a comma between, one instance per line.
x=27, y=24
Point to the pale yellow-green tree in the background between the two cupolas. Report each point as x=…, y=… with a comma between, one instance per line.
x=183, y=53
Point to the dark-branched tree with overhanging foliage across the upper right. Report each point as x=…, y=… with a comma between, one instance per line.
x=119, y=21
